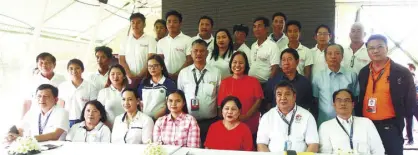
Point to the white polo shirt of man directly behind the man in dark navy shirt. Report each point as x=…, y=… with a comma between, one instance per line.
x=305, y=57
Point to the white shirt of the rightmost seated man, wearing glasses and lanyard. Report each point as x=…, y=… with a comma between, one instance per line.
x=366, y=139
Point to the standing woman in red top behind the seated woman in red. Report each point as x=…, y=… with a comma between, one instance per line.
x=246, y=88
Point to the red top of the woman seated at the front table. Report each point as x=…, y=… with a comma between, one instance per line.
x=220, y=138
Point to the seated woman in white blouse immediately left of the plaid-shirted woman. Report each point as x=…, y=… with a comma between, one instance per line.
x=133, y=126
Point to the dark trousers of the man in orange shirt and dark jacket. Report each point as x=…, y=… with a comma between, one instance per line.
x=391, y=136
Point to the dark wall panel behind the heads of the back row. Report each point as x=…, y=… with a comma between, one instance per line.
x=226, y=13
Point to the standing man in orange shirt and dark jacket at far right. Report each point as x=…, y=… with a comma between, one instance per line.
x=387, y=94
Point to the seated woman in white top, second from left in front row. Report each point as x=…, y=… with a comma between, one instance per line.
x=92, y=127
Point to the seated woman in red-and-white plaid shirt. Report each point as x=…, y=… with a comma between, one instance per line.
x=178, y=127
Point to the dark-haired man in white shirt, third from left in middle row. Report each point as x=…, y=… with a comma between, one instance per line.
x=100, y=77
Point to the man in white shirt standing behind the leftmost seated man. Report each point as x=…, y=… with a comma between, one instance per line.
x=45, y=63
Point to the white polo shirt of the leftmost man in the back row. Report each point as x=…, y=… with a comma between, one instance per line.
x=136, y=51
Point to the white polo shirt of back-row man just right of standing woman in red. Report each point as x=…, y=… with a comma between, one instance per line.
x=262, y=58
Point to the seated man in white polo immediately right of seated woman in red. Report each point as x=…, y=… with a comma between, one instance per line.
x=287, y=126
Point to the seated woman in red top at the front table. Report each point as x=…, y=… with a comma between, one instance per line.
x=230, y=133
